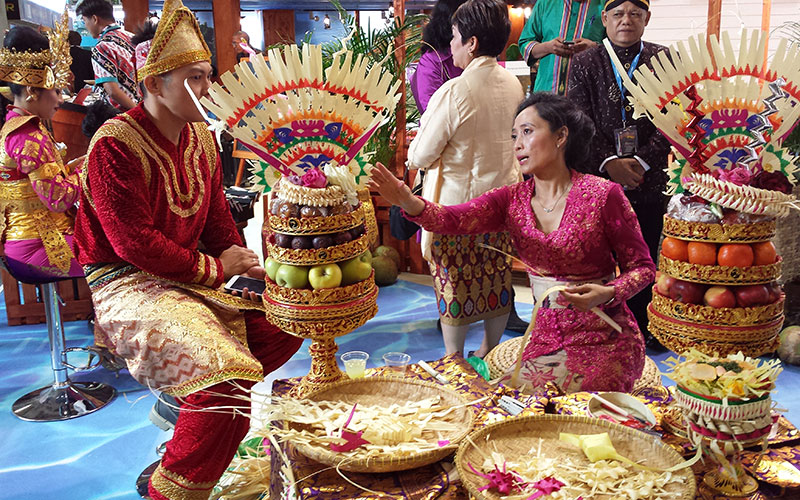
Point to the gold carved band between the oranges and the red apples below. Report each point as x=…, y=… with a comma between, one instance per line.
x=720, y=275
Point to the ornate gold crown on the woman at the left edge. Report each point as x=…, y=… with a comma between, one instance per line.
x=47, y=69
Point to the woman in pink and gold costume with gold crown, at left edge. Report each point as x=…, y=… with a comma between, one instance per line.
x=37, y=191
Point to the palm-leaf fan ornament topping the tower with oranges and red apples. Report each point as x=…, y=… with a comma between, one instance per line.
x=726, y=113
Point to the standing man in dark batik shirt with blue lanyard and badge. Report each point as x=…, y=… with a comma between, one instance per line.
x=628, y=151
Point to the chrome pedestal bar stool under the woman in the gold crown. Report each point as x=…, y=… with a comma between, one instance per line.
x=63, y=399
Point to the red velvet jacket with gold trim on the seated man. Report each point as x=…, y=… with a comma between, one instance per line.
x=147, y=202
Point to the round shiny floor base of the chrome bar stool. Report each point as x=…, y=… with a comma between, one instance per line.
x=75, y=399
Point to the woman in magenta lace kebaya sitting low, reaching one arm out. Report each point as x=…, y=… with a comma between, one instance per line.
x=573, y=229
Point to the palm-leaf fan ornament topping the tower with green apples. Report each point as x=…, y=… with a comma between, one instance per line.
x=295, y=115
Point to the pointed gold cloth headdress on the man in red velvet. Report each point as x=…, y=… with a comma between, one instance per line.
x=178, y=42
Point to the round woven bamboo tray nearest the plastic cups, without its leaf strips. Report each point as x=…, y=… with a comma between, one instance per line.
x=385, y=391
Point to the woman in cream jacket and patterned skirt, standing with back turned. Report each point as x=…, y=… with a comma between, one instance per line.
x=464, y=145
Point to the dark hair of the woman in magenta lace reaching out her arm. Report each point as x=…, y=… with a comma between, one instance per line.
x=558, y=111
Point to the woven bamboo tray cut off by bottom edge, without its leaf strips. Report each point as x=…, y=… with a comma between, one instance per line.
x=518, y=436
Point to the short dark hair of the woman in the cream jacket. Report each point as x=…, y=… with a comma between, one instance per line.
x=486, y=20
